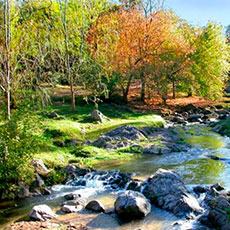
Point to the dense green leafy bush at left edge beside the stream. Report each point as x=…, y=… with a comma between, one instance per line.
x=19, y=140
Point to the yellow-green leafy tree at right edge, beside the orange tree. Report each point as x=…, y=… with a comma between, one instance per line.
x=210, y=62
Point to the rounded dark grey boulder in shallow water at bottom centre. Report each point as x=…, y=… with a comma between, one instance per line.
x=132, y=205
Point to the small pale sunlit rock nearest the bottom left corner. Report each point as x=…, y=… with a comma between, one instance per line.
x=42, y=213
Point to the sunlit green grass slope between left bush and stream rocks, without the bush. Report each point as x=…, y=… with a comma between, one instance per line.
x=77, y=126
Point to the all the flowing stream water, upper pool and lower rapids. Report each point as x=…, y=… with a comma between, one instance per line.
x=195, y=166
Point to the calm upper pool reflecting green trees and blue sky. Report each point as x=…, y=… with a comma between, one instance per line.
x=194, y=166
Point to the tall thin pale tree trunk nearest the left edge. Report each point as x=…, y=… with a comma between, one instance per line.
x=7, y=46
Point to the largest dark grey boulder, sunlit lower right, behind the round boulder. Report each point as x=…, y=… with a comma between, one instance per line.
x=166, y=190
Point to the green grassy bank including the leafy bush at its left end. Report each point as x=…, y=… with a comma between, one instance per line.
x=59, y=141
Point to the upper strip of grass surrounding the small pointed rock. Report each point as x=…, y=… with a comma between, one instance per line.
x=76, y=123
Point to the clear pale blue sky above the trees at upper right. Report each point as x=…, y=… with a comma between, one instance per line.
x=199, y=12
